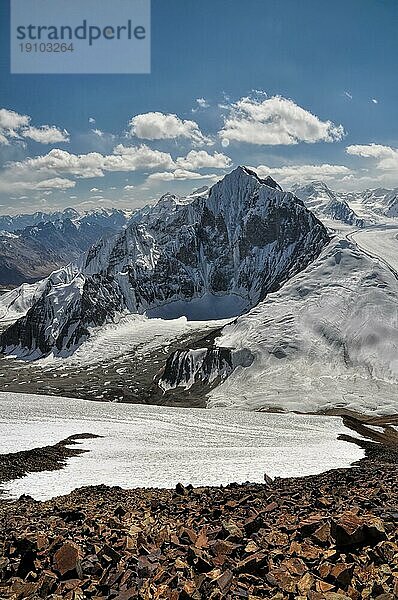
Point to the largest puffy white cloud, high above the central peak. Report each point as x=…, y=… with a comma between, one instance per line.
x=274, y=121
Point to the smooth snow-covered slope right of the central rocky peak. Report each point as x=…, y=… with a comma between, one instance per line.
x=327, y=339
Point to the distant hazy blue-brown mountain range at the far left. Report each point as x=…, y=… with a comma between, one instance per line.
x=29, y=254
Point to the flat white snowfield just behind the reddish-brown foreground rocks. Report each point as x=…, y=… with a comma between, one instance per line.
x=152, y=446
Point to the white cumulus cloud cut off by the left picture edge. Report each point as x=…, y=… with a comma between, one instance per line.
x=16, y=126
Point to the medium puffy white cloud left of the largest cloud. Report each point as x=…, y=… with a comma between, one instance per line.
x=160, y=126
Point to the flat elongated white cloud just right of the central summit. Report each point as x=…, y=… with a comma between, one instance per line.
x=298, y=173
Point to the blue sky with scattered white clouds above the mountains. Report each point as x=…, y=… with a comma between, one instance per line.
x=300, y=89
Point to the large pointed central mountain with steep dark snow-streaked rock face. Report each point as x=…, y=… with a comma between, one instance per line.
x=244, y=237
